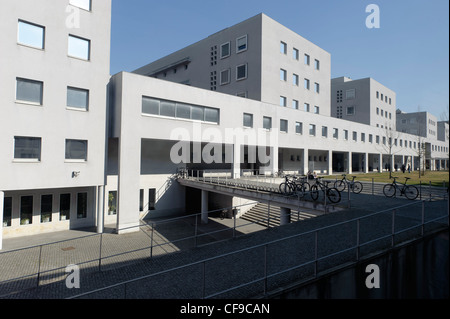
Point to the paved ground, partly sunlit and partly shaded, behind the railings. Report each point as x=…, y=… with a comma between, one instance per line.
x=199, y=279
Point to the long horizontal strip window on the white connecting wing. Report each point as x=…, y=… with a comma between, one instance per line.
x=172, y=109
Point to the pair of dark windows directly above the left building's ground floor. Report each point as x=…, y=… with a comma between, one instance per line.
x=29, y=149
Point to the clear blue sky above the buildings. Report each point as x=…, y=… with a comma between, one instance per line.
x=409, y=53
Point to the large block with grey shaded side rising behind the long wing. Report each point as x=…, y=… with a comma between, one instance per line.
x=259, y=59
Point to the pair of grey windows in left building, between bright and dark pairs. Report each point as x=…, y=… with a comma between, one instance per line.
x=32, y=91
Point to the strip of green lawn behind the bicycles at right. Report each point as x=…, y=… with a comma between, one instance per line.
x=437, y=178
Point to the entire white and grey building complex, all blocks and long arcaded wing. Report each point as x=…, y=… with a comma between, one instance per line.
x=82, y=148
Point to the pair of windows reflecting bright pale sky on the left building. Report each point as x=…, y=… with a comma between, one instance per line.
x=33, y=35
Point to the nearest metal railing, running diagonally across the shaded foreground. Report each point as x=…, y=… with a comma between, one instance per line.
x=256, y=270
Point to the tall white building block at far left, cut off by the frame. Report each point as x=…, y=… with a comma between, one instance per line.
x=55, y=69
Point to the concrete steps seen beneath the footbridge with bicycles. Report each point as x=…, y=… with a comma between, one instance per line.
x=258, y=215
